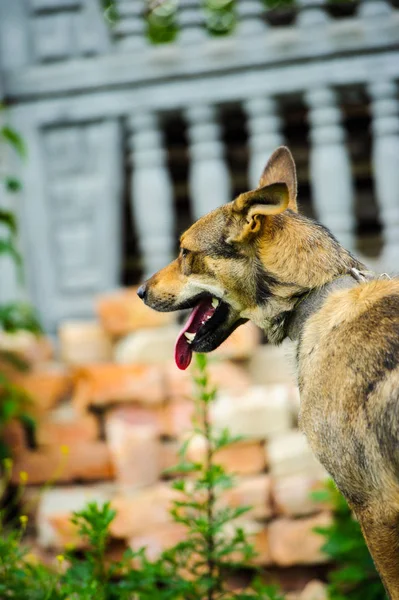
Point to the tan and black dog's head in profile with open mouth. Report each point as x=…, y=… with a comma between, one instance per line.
x=241, y=261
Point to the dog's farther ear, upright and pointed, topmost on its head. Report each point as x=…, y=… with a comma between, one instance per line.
x=280, y=168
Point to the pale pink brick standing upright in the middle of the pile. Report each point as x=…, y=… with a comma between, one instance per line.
x=133, y=440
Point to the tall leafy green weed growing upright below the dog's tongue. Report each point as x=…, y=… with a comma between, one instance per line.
x=215, y=542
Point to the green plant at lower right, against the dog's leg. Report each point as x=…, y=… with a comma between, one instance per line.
x=354, y=576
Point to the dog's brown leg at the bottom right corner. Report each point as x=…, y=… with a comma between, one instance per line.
x=381, y=532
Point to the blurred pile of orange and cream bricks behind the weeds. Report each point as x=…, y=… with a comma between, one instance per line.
x=113, y=410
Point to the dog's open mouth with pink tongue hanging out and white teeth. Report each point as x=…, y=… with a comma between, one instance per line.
x=208, y=325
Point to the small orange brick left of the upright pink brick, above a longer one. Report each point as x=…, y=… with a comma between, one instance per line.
x=66, y=426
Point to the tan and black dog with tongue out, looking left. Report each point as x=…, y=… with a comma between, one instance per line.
x=257, y=258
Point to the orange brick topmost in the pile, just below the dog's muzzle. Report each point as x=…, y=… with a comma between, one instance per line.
x=122, y=312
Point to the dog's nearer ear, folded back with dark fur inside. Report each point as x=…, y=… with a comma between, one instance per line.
x=265, y=201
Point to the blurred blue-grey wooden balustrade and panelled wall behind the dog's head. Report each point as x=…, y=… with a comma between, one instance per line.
x=130, y=140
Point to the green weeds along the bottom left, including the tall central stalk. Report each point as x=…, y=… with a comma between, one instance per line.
x=194, y=569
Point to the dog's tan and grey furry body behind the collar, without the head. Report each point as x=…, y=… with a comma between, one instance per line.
x=349, y=380
